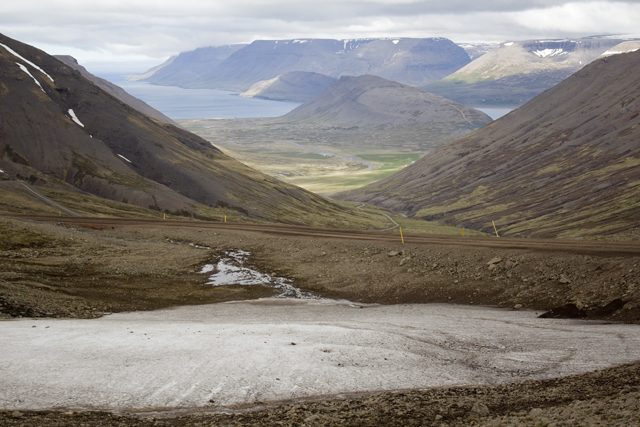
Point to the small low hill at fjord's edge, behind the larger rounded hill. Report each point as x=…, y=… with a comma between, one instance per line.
x=294, y=86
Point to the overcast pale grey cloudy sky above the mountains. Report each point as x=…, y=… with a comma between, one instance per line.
x=132, y=35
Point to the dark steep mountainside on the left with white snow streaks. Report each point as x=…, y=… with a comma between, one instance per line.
x=55, y=122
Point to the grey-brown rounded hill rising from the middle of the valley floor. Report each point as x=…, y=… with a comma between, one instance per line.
x=370, y=100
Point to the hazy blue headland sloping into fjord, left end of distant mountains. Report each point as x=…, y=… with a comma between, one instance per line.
x=185, y=68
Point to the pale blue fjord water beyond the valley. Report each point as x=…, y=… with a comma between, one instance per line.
x=178, y=103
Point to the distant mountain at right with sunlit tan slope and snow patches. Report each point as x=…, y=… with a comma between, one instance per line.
x=515, y=72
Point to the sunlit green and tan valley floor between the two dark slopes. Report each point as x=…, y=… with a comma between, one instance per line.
x=318, y=158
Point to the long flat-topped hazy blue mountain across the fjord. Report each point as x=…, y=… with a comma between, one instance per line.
x=410, y=61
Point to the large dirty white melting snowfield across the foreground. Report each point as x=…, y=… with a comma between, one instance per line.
x=243, y=353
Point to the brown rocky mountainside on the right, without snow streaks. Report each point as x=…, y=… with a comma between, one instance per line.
x=565, y=164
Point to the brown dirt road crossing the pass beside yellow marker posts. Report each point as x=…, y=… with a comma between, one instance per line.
x=554, y=245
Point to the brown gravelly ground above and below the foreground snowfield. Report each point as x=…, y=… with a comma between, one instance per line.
x=65, y=270
